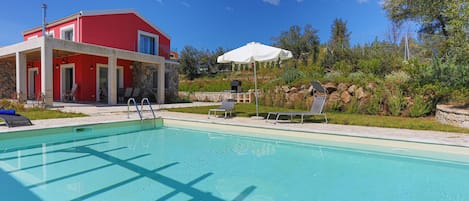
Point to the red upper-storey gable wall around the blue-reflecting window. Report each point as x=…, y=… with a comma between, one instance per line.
x=119, y=31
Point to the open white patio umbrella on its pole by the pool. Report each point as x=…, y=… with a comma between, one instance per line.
x=252, y=52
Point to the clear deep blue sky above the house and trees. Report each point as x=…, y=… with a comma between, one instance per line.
x=208, y=24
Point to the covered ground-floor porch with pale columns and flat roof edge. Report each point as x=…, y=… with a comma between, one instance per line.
x=41, y=65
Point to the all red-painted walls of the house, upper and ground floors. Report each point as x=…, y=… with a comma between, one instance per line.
x=117, y=31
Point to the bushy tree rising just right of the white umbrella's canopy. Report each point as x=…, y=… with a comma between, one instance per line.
x=301, y=44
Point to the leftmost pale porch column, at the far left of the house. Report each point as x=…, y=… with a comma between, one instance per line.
x=21, y=76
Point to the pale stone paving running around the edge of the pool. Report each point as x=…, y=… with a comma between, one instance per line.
x=104, y=113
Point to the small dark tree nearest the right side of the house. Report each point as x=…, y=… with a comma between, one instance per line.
x=189, y=60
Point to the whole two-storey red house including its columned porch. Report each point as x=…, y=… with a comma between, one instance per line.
x=91, y=56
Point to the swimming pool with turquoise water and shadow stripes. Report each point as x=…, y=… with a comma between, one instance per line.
x=185, y=161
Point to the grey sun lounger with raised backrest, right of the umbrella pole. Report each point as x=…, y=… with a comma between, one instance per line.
x=316, y=109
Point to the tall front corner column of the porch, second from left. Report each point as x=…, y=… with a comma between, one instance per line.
x=46, y=73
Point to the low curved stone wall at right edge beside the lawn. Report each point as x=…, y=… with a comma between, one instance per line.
x=448, y=114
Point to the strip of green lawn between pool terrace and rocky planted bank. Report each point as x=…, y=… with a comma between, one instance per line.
x=427, y=123
